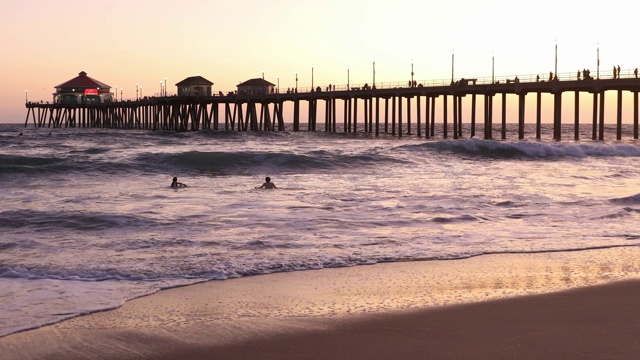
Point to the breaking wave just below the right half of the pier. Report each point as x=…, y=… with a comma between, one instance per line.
x=527, y=149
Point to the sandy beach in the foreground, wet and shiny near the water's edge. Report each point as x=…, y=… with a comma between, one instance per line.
x=565, y=305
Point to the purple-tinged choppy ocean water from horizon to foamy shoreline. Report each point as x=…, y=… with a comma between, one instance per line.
x=88, y=220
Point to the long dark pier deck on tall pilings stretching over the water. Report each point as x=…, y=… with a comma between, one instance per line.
x=266, y=112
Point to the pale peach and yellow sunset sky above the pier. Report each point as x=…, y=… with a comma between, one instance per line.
x=127, y=42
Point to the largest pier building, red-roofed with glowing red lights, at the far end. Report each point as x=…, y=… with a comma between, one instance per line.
x=82, y=89
